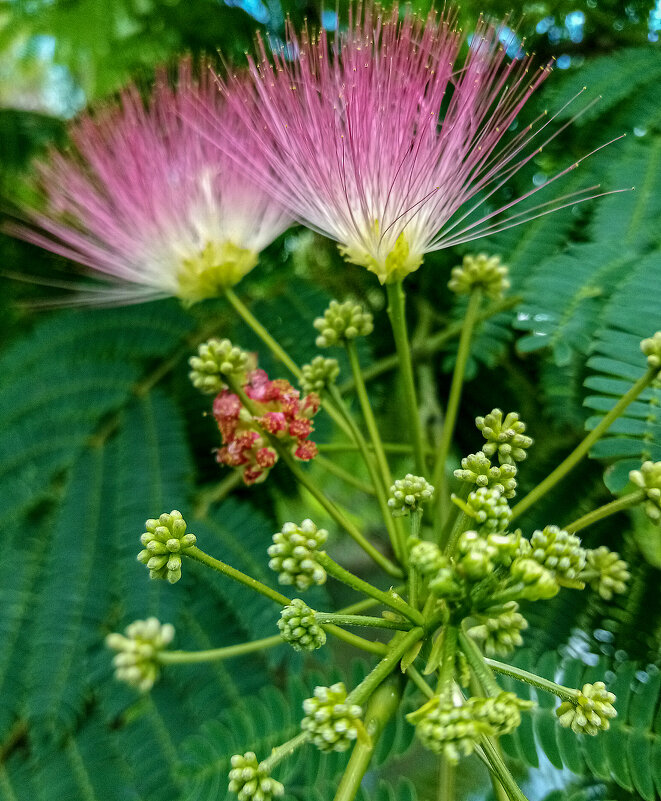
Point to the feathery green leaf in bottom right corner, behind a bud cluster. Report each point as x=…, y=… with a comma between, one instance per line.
x=627, y=754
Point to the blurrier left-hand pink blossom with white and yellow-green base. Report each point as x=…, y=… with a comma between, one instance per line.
x=144, y=197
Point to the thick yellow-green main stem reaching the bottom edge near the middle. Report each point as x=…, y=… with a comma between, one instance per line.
x=382, y=706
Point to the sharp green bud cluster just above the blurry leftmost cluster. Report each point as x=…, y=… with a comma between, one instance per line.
x=165, y=541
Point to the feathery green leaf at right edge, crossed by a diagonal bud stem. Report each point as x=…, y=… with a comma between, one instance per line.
x=617, y=361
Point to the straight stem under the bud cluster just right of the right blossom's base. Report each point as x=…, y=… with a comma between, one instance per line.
x=438, y=476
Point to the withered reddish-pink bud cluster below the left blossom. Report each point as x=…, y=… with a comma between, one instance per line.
x=282, y=413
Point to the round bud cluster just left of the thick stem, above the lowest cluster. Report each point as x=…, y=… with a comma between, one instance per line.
x=332, y=722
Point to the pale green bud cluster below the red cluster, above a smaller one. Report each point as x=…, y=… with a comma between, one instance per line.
x=293, y=554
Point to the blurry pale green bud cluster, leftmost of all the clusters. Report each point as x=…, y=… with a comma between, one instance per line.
x=136, y=661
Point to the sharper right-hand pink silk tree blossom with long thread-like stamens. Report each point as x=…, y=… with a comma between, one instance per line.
x=381, y=138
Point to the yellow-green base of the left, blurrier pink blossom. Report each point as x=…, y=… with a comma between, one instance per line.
x=216, y=267
